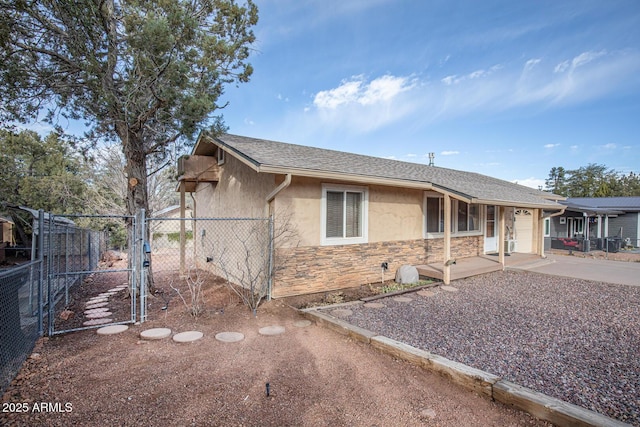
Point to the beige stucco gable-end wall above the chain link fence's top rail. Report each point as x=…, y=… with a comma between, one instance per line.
x=241, y=192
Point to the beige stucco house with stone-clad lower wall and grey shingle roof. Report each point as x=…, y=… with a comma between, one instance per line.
x=352, y=213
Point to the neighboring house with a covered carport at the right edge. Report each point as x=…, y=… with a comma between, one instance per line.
x=587, y=221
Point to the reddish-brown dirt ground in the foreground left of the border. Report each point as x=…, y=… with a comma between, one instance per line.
x=316, y=377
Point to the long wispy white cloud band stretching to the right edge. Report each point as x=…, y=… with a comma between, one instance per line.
x=361, y=105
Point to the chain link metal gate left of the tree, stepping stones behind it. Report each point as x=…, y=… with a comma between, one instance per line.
x=91, y=281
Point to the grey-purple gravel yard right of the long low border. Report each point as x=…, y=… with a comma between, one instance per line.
x=572, y=339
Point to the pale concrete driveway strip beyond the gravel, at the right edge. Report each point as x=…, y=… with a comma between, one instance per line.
x=618, y=272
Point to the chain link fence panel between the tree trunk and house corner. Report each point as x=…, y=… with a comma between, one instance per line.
x=234, y=251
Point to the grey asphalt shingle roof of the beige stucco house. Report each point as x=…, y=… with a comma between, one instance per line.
x=299, y=158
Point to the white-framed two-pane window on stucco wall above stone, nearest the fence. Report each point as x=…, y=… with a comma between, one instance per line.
x=344, y=215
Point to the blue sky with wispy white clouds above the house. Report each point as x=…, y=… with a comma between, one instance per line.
x=505, y=88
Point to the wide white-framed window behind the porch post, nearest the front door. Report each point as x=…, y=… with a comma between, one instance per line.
x=465, y=217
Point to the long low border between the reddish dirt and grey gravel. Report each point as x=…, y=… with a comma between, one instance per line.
x=539, y=405
